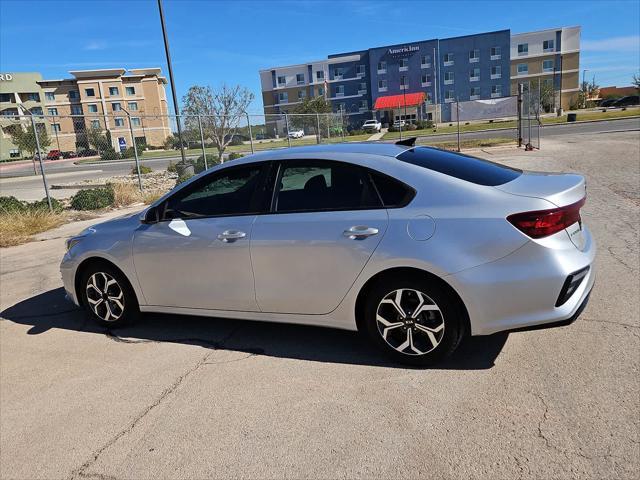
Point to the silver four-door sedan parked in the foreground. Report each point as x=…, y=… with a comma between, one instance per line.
x=414, y=246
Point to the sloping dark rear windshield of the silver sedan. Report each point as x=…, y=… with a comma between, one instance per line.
x=464, y=167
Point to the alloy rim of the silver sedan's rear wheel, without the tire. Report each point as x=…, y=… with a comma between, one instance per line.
x=410, y=322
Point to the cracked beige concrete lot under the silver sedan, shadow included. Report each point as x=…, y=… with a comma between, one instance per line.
x=184, y=397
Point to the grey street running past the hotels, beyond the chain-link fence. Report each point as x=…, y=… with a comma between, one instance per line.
x=22, y=183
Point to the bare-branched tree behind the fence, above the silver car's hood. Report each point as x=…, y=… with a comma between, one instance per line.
x=221, y=111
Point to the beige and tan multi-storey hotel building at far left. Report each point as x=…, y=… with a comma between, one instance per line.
x=98, y=99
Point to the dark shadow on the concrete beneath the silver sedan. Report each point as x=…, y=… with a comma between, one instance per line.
x=50, y=310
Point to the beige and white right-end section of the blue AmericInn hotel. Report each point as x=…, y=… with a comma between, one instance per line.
x=551, y=57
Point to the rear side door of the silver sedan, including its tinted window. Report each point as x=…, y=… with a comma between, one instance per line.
x=325, y=222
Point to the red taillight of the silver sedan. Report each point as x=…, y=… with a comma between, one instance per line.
x=543, y=223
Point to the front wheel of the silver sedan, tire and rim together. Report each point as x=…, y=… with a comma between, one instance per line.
x=107, y=296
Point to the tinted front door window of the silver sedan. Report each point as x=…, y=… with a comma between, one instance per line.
x=228, y=192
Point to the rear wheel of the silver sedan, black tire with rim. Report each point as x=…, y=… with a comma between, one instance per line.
x=427, y=327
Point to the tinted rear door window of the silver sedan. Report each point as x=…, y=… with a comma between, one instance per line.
x=324, y=185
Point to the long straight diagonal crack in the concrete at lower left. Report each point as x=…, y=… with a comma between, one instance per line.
x=80, y=472
